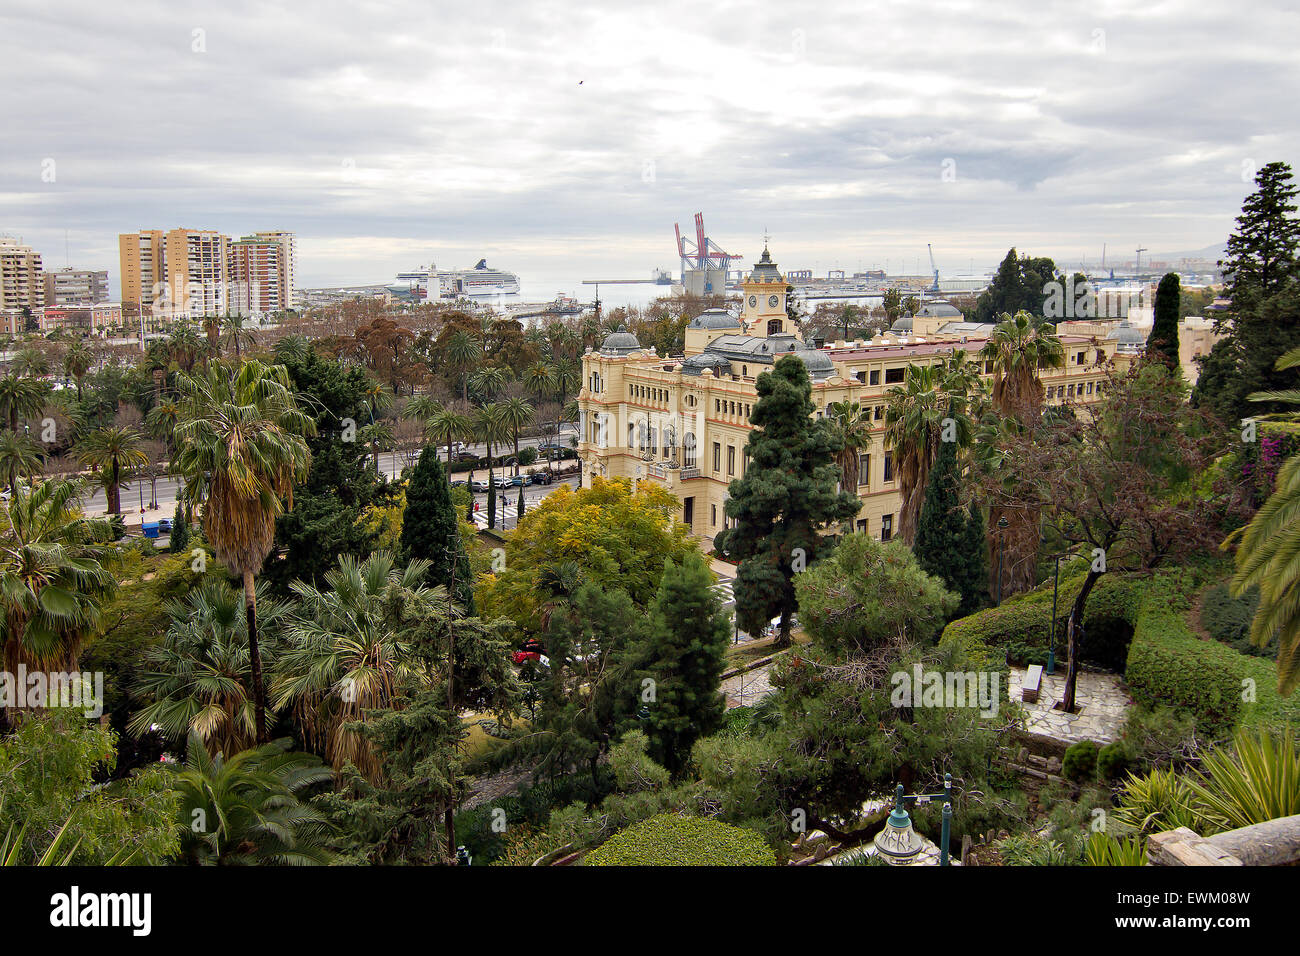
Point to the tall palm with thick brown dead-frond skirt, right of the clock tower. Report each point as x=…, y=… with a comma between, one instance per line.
x=1020, y=348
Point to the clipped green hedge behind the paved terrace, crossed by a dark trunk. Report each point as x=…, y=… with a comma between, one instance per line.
x=1021, y=626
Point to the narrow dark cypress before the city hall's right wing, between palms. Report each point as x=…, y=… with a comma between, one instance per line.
x=951, y=539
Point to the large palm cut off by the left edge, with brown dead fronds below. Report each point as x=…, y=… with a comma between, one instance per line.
x=53, y=578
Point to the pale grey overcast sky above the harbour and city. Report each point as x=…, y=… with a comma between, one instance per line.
x=566, y=139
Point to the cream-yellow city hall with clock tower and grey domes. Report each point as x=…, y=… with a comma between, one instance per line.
x=682, y=422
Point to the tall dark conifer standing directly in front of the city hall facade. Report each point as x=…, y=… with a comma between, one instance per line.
x=785, y=501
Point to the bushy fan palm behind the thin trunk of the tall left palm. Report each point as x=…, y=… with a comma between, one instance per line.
x=200, y=680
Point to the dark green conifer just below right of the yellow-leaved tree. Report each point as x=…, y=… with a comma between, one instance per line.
x=684, y=656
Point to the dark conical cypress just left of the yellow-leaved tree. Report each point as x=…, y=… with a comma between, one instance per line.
x=431, y=531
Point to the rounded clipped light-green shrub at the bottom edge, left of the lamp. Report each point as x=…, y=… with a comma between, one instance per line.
x=673, y=841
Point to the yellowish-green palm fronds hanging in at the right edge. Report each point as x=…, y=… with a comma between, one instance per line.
x=1269, y=555
